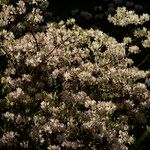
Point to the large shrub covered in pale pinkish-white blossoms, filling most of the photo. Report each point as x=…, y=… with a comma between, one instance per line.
x=69, y=88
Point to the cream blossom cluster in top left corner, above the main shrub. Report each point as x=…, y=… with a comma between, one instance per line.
x=28, y=12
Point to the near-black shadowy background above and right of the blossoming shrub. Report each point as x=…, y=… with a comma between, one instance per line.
x=94, y=13
